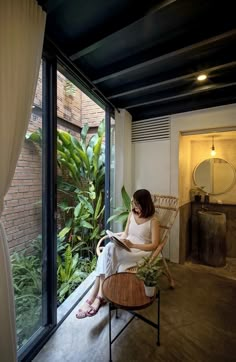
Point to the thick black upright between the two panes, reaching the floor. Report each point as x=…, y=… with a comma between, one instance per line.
x=49, y=202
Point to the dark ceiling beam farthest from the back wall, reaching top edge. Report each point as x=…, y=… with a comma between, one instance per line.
x=120, y=27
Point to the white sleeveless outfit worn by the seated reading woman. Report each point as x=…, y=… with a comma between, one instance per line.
x=113, y=258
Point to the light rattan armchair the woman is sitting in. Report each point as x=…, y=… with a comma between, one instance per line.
x=166, y=209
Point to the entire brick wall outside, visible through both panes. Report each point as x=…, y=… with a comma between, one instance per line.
x=22, y=212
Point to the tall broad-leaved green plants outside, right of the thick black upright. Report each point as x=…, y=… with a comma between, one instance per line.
x=80, y=185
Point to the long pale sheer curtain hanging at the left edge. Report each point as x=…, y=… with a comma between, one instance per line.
x=22, y=24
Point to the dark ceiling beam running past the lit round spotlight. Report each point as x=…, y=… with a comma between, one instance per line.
x=172, y=80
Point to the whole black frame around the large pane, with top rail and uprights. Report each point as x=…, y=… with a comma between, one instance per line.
x=53, y=61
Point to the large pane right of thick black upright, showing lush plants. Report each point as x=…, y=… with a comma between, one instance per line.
x=80, y=180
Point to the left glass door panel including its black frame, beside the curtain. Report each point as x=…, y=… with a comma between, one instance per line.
x=28, y=219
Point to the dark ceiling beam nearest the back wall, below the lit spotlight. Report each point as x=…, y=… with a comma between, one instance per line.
x=181, y=95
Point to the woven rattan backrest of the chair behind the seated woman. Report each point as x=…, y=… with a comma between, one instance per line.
x=167, y=208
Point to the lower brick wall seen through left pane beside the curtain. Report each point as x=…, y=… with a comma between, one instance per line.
x=22, y=212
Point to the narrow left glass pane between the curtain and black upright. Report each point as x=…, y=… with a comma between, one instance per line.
x=23, y=224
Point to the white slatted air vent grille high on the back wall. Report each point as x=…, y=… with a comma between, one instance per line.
x=151, y=130
